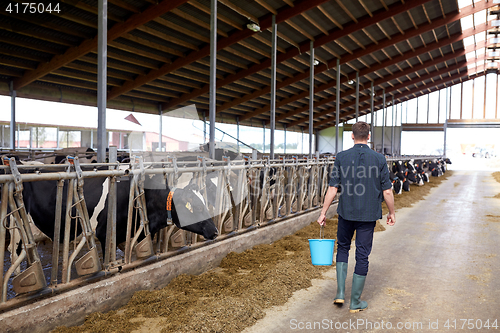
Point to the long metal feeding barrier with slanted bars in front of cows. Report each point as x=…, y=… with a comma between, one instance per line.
x=240, y=195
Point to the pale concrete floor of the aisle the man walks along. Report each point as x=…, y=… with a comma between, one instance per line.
x=440, y=264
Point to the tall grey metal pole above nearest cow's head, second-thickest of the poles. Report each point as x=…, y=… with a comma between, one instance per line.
x=213, y=68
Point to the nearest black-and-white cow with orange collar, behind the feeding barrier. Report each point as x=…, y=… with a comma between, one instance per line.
x=40, y=202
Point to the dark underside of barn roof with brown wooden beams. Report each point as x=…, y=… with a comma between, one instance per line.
x=149, y=64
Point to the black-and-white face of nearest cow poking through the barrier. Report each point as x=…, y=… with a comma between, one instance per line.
x=193, y=213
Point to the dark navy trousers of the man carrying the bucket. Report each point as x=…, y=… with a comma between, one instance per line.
x=364, y=240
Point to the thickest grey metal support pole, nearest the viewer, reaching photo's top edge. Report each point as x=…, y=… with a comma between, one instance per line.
x=102, y=55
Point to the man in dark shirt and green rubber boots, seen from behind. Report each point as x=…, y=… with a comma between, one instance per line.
x=362, y=176
